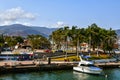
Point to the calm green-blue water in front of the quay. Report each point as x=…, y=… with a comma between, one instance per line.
x=113, y=74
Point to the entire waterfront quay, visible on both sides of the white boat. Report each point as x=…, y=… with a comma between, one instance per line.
x=36, y=66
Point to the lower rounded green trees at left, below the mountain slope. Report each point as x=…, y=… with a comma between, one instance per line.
x=35, y=41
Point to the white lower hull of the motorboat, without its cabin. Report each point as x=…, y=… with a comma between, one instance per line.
x=87, y=70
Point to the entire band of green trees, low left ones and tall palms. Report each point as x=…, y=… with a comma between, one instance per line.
x=97, y=37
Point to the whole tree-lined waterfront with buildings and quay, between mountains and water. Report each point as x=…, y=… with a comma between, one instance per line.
x=61, y=50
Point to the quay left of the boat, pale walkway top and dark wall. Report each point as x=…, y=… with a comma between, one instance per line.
x=32, y=66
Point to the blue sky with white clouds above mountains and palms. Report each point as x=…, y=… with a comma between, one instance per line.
x=59, y=13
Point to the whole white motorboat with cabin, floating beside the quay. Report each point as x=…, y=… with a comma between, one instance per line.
x=87, y=67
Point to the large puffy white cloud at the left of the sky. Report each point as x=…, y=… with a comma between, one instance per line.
x=15, y=14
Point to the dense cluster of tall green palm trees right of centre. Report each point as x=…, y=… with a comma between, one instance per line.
x=97, y=37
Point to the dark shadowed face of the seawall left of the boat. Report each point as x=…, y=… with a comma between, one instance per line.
x=22, y=69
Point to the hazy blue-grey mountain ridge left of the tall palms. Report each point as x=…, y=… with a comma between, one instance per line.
x=23, y=30
